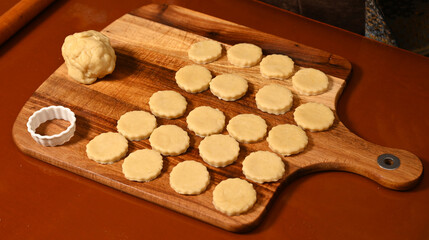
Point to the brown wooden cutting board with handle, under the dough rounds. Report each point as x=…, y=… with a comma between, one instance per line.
x=151, y=45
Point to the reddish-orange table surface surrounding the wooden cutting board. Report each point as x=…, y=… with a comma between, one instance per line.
x=385, y=101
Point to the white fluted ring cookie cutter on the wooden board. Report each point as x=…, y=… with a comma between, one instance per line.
x=50, y=113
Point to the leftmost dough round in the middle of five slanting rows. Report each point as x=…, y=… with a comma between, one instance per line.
x=167, y=104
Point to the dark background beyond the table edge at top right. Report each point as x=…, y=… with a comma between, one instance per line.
x=407, y=21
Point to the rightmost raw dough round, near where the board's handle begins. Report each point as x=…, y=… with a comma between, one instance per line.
x=314, y=116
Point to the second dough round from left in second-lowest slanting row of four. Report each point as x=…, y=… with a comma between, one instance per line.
x=169, y=140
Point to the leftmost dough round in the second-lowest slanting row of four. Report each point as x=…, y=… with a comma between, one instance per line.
x=136, y=125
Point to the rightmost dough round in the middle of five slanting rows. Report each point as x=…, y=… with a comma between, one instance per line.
x=287, y=139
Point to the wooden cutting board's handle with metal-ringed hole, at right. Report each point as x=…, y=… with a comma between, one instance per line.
x=392, y=168
